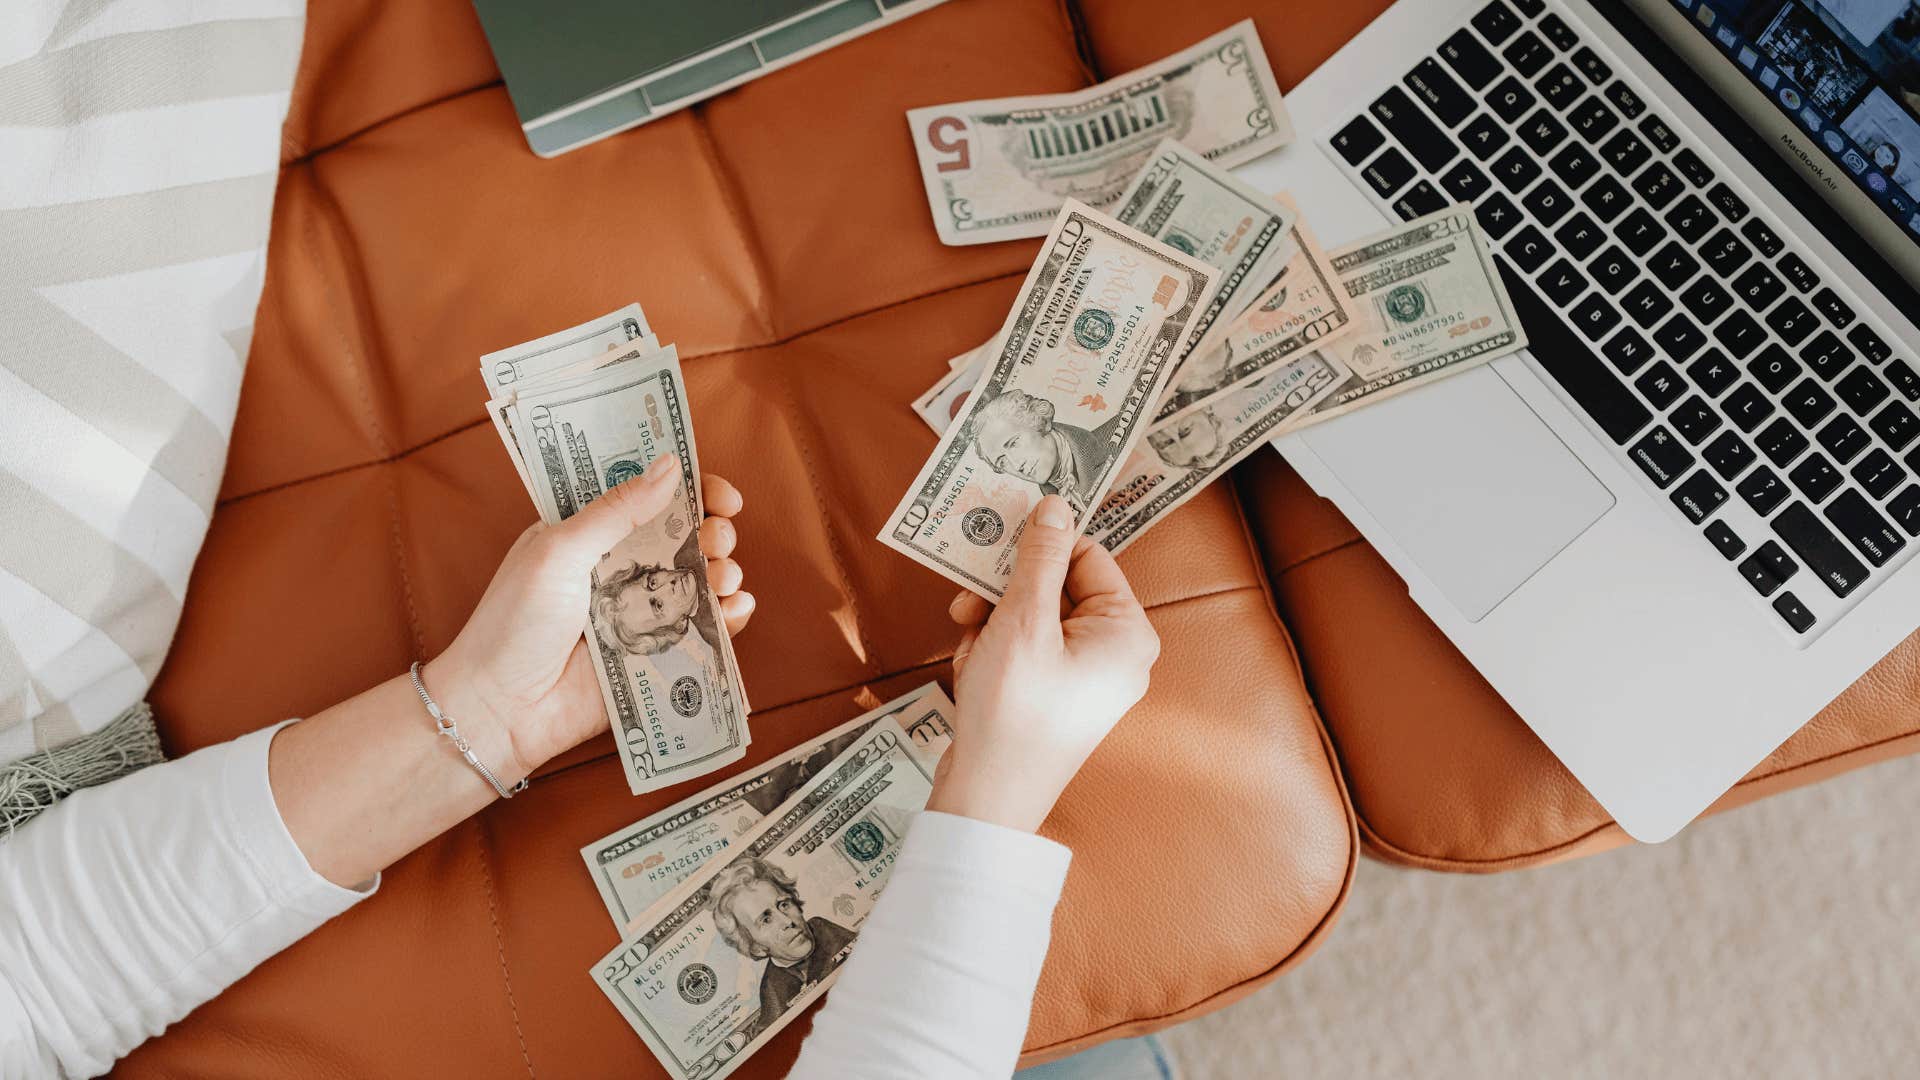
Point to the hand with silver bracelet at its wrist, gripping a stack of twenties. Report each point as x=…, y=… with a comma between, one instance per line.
x=519, y=677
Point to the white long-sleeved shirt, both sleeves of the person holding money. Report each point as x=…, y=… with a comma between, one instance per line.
x=130, y=904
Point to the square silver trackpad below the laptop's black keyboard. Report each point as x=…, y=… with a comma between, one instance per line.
x=1470, y=483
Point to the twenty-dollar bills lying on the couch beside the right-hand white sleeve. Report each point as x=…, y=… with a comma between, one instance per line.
x=738, y=906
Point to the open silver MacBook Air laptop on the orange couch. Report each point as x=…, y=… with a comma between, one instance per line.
x=1687, y=518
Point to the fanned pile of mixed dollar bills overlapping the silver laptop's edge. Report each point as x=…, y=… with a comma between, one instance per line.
x=1176, y=318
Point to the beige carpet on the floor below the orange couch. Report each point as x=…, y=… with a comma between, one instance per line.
x=1775, y=941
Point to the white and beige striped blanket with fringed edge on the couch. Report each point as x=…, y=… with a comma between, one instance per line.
x=139, y=153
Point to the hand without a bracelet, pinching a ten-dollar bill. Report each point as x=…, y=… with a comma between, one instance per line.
x=1038, y=691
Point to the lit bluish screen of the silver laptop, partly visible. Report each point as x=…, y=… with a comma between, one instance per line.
x=1846, y=82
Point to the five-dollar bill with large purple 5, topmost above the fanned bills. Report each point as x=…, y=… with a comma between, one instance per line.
x=1001, y=168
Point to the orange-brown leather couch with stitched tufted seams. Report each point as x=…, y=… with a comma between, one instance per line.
x=780, y=237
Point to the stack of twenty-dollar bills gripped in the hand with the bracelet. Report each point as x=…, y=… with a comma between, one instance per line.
x=581, y=412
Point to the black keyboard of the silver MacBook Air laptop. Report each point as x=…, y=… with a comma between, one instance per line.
x=1710, y=353
